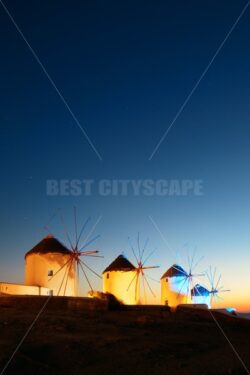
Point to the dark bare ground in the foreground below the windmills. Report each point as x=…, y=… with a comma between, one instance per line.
x=70, y=338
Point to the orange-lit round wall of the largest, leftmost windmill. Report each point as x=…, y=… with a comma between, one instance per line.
x=38, y=266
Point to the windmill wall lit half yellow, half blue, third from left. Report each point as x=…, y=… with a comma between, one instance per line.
x=174, y=291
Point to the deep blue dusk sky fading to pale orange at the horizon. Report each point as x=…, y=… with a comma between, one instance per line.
x=125, y=68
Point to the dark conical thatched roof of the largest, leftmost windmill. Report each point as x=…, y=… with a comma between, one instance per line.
x=48, y=245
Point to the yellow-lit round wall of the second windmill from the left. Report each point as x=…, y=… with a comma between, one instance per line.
x=117, y=282
